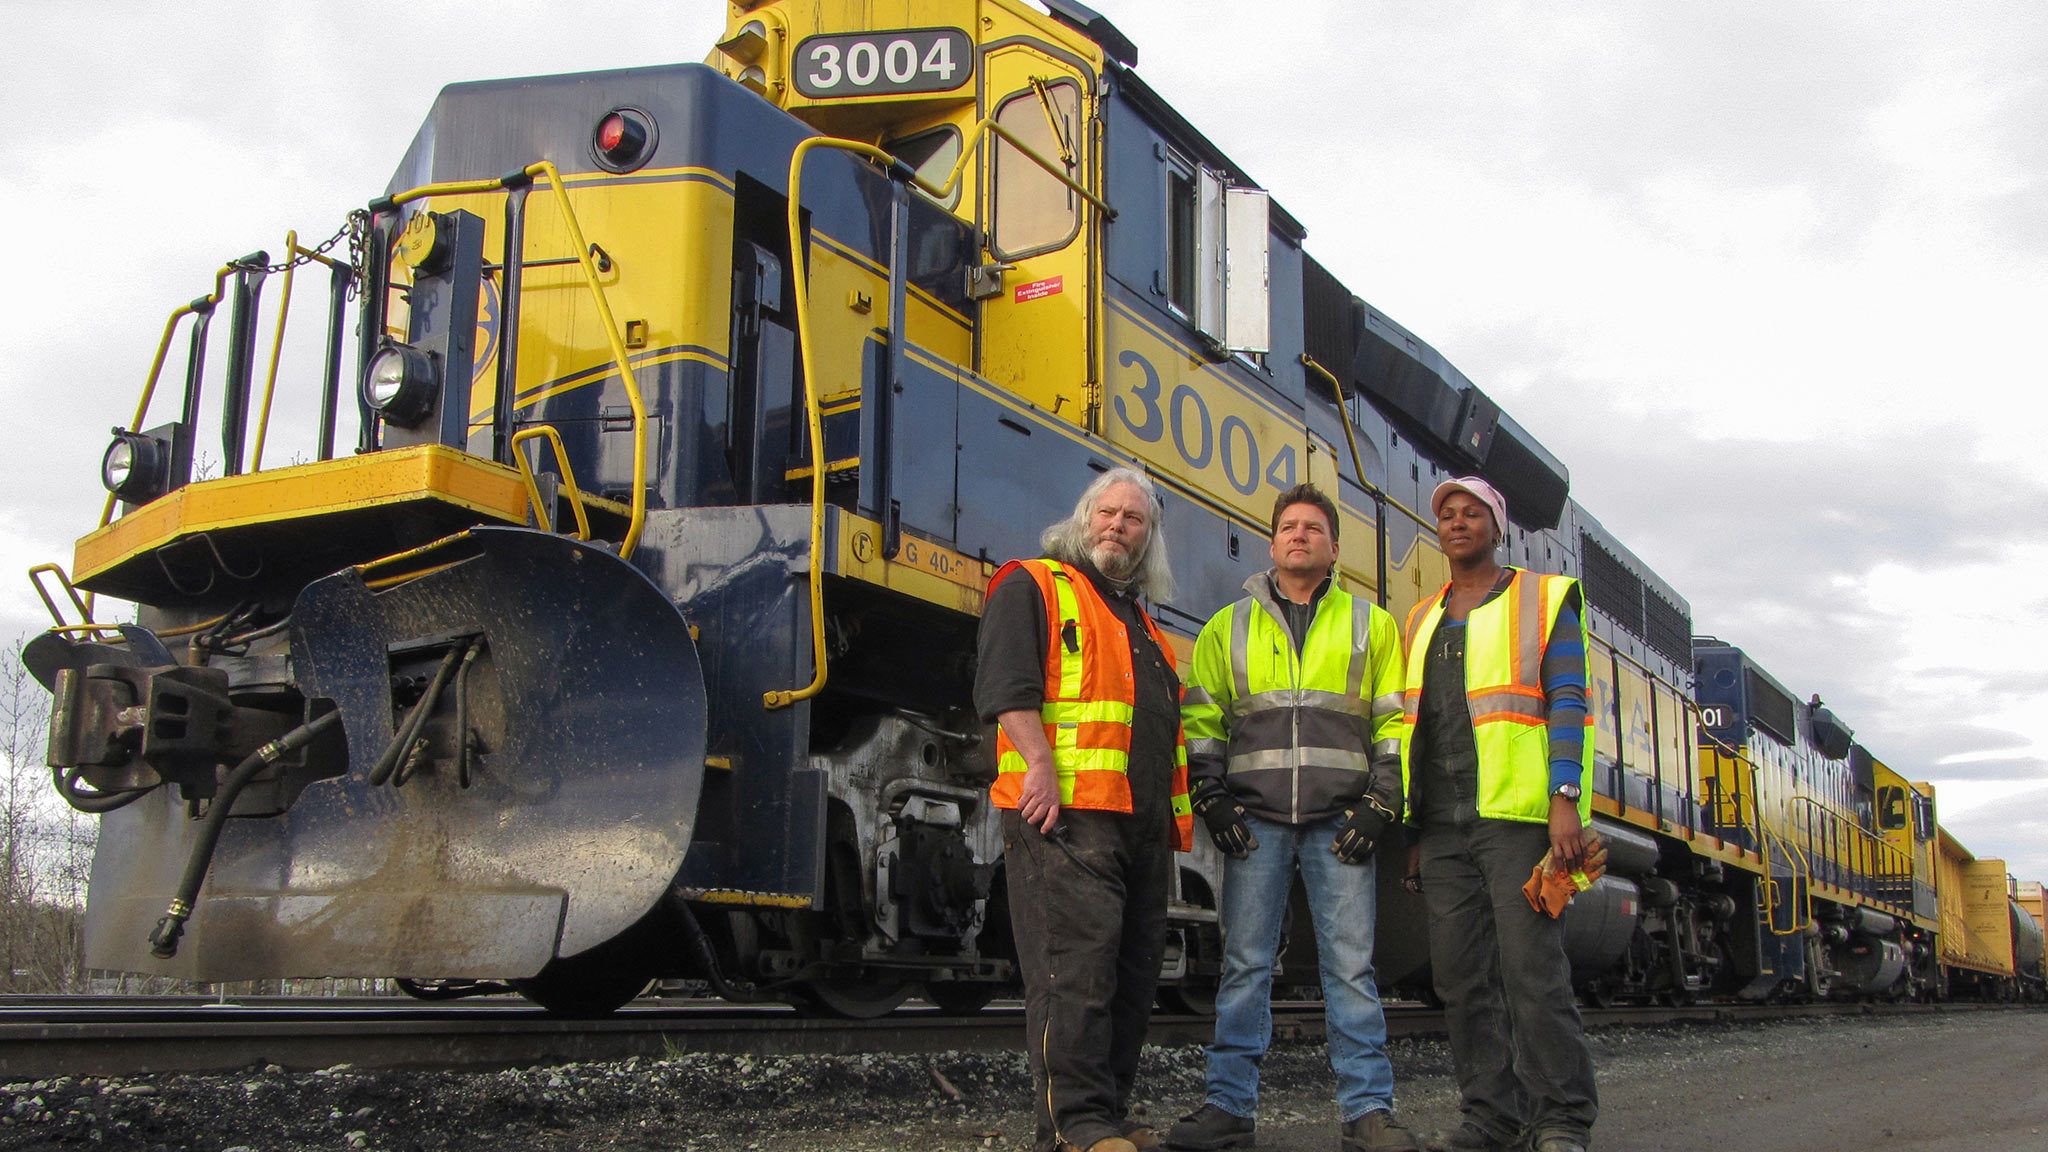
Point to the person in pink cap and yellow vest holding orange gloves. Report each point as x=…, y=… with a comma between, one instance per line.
x=1500, y=772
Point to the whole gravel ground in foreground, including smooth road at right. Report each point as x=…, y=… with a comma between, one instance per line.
x=1936, y=1081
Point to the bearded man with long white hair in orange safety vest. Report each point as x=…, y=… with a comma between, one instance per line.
x=1093, y=778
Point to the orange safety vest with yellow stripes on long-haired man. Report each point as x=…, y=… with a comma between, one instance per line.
x=1091, y=700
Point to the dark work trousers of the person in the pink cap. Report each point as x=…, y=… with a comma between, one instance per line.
x=1504, y=979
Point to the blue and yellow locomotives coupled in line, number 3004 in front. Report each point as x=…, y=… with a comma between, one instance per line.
x=695, y=407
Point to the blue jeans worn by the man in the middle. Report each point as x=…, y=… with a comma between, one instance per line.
x=1342, y=905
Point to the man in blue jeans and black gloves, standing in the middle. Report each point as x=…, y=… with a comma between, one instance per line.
x=1293, y=716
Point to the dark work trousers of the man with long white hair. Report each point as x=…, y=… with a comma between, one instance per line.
x=1089, y=911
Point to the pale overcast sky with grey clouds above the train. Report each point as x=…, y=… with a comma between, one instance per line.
x=1762, y=274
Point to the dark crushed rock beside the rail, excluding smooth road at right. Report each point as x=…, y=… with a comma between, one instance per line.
x=712, y=1102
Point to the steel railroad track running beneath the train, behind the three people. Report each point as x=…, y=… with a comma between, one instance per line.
x=132, y=1038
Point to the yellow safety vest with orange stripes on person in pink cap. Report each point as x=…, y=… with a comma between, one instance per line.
x=1504, y=645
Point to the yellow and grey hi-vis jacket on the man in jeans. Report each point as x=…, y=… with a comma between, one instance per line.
x=1297, y=735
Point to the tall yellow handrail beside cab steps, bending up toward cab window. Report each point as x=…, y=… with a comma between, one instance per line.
x=812, y=409
